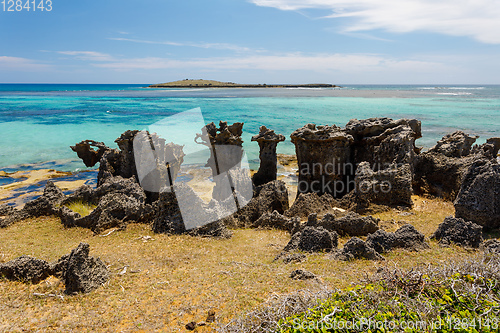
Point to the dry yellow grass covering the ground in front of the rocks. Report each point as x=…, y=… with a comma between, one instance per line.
x=172, y=280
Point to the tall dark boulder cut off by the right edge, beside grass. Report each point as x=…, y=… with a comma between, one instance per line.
x=479, y=197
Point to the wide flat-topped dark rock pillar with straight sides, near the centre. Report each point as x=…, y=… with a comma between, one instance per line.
x=320, y=151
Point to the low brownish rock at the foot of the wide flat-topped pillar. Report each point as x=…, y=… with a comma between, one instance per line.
x=308, y=203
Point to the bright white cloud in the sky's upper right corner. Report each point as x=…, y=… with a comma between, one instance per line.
x=479, y=19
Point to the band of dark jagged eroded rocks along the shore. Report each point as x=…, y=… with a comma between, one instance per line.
x=368, y=165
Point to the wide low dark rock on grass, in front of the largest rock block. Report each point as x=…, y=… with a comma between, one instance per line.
x=406, y=237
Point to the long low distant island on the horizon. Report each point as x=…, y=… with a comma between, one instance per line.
x=217, y=84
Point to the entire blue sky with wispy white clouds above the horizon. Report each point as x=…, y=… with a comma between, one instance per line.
x=252, y=41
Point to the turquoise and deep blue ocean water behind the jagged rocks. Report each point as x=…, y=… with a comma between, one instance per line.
x=38, y=122
